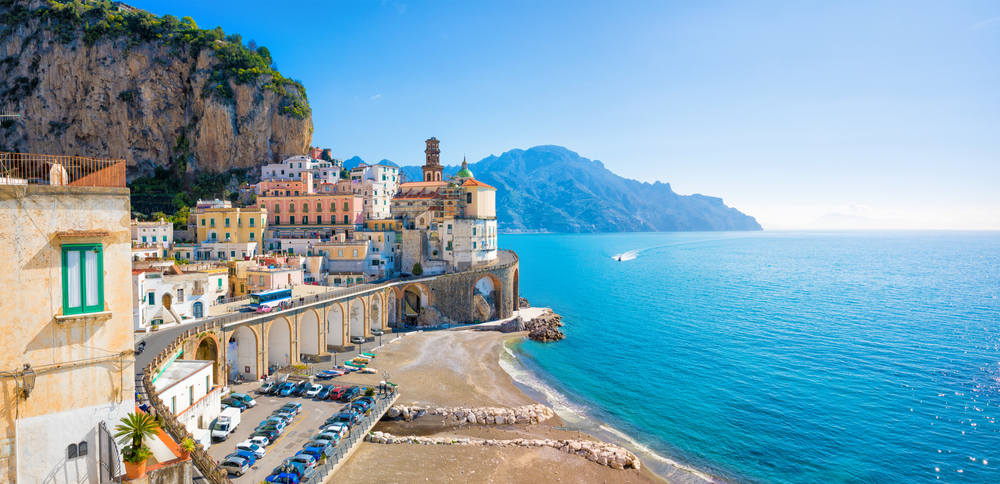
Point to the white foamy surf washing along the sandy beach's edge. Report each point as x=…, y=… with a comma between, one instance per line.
x=575, y=417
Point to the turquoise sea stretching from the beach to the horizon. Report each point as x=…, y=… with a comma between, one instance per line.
x=776, y=357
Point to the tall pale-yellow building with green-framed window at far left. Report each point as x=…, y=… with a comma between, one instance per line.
x=67, y=369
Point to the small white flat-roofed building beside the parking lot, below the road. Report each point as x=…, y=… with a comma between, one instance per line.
x=188, y=389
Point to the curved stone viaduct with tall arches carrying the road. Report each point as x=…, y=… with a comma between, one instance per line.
x=248, y=344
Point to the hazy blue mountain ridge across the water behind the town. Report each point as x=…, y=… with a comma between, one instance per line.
x=551, y=188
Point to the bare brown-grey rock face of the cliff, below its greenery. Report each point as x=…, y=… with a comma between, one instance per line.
x=141, y=101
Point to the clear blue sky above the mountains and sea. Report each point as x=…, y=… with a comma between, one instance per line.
x=786, y=110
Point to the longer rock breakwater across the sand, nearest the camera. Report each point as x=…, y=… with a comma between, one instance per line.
x=600, y=452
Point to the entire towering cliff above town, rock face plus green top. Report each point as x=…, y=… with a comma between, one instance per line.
x=98, y=79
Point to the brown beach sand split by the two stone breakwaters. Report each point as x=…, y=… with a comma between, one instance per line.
x=461, y=368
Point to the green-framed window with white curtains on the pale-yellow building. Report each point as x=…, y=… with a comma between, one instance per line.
x=83, y=278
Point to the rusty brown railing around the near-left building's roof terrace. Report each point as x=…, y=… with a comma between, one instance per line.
x=30, y=169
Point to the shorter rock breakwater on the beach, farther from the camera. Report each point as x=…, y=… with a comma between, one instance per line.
x=527, y=414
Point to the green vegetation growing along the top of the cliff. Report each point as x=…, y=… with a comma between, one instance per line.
x=99, y=19
